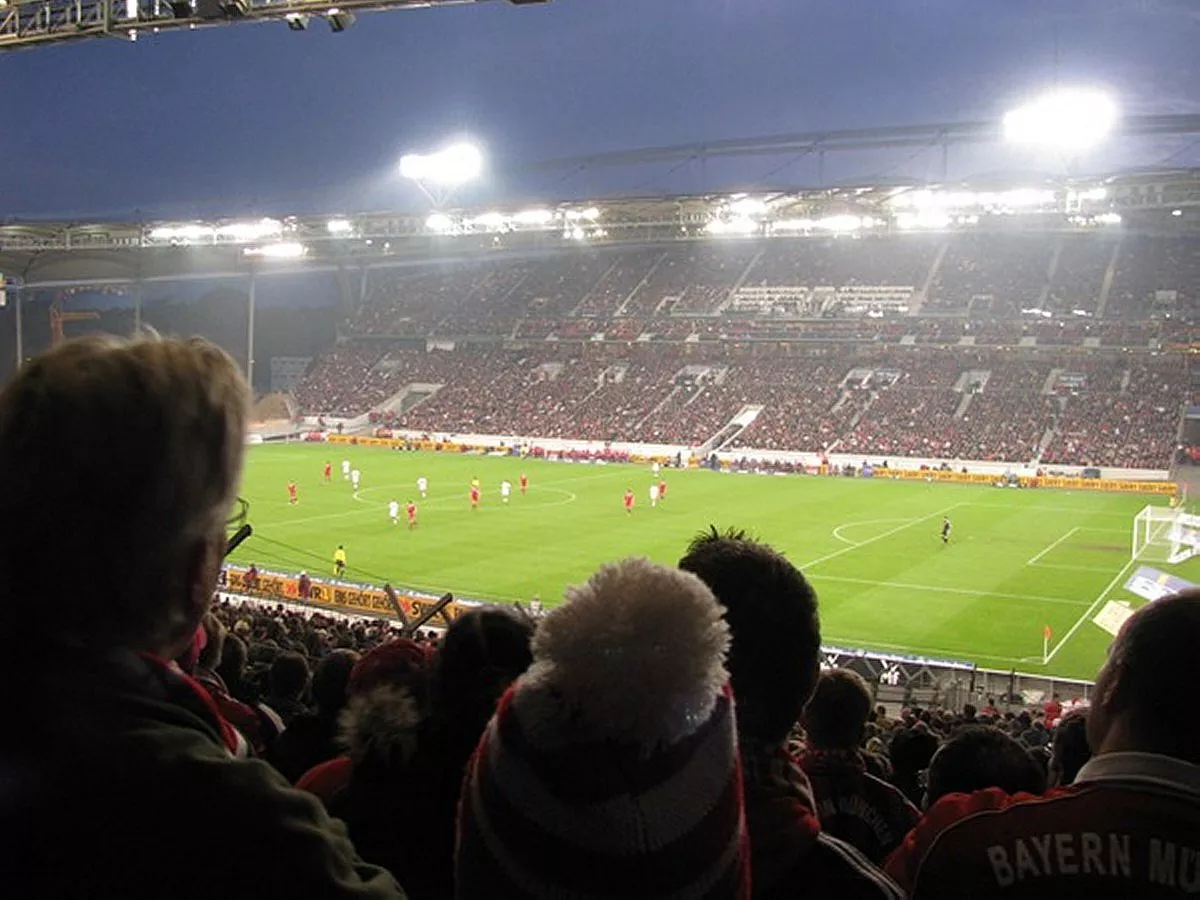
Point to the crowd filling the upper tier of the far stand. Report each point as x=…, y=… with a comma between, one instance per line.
x=1009, y=278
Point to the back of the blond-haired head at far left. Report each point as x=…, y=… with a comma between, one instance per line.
x=119, y=457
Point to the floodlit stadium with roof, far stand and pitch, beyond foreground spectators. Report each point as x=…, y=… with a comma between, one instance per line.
x=937, y=340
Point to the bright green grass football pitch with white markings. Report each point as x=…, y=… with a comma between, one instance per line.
x=1018, y=561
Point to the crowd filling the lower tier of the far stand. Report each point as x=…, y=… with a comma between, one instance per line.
x=964, y=404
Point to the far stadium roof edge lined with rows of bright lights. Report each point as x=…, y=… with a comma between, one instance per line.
x=59, y=254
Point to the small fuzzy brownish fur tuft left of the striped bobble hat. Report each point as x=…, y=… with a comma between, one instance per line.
x=382, y=725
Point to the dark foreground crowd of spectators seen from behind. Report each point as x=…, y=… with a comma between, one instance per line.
x=665, y=731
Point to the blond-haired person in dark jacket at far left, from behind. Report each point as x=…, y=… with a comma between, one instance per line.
x=123, y=459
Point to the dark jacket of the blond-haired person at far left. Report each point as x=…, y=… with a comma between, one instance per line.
x=119, y=782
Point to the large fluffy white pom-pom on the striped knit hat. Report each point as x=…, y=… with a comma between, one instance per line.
x=635, y=656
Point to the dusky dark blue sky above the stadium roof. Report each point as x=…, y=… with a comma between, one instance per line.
x=257, y=119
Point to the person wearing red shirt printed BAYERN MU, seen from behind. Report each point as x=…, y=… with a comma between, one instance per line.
x=1129, y=824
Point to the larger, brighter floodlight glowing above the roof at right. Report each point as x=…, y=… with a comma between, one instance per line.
x=1070, y=119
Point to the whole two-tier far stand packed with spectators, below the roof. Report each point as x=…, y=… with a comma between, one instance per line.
x=668, y=344
